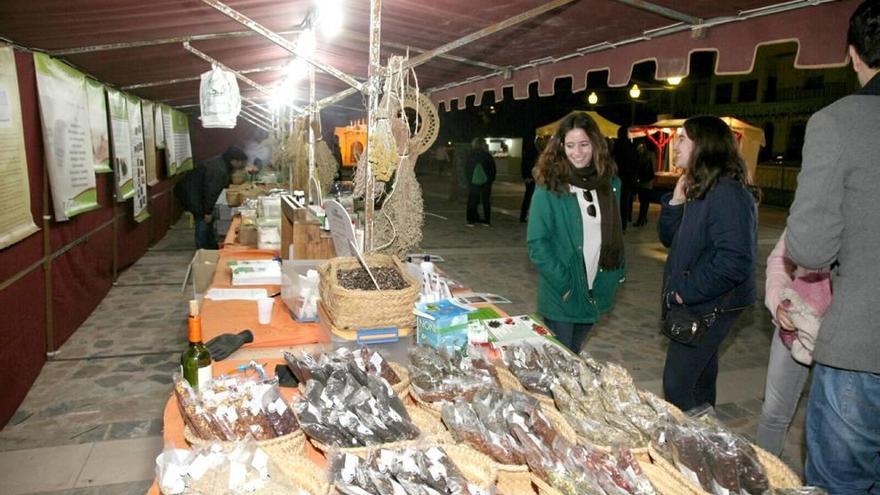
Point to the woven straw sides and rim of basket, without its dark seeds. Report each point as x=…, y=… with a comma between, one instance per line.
x=351, y=309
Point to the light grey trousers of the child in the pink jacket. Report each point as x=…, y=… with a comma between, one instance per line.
x=785, y=384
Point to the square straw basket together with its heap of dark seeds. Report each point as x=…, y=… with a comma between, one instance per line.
x=355, y=298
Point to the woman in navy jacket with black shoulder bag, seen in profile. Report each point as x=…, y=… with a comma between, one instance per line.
x=709, y=224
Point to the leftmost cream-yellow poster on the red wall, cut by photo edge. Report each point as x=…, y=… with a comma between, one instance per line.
x=16, y=221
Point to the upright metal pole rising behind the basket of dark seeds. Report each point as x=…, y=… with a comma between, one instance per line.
x=374, y=82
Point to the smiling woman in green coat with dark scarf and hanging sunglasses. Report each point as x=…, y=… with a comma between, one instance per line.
x=574, y=233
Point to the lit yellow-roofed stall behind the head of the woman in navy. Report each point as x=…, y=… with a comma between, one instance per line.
x=662, y=133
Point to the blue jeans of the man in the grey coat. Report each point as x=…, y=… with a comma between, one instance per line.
x=843, y=431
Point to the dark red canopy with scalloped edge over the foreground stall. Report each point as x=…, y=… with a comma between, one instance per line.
x=138, y=46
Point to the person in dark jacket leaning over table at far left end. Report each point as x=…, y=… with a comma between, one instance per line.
x=199, y=190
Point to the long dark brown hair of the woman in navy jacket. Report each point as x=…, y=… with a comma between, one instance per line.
x=715, y=155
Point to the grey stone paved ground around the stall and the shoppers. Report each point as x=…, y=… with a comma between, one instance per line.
x=91, y=423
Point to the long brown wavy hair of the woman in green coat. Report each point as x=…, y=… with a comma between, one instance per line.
x=552, y=170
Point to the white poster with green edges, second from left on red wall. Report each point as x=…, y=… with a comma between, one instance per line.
x=67, y=140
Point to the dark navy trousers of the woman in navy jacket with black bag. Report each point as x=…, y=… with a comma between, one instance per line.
x=691, y=371
